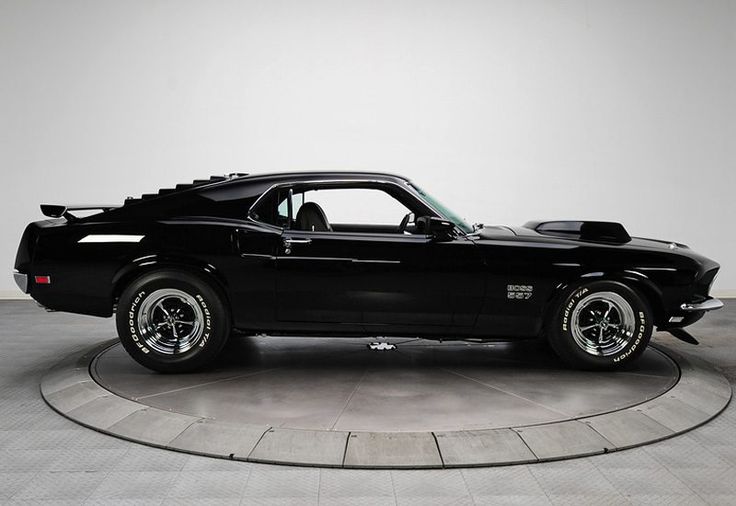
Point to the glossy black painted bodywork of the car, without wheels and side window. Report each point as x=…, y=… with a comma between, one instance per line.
x=347, y=283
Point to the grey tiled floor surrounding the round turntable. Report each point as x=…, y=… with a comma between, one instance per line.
x=46, y=458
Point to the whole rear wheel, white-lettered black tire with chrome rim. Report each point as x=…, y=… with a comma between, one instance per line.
x=150, y=331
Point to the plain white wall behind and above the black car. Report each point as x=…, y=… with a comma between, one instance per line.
x=509, y=110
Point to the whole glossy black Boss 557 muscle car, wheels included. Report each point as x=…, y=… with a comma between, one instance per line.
x=352, y=254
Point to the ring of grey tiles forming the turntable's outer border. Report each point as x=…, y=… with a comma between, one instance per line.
x=700, y=394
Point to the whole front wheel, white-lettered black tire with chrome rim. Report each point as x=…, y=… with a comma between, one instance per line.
x=600, y=325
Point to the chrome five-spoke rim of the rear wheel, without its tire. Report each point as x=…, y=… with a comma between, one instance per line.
x=170, y=321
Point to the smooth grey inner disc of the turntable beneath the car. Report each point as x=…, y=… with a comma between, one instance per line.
x=339, y=384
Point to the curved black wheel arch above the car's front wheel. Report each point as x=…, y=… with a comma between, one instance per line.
x=638, y=282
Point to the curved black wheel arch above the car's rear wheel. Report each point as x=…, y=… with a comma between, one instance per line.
x=145, y=265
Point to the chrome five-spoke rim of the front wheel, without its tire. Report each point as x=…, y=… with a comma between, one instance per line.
x=603, y=324
